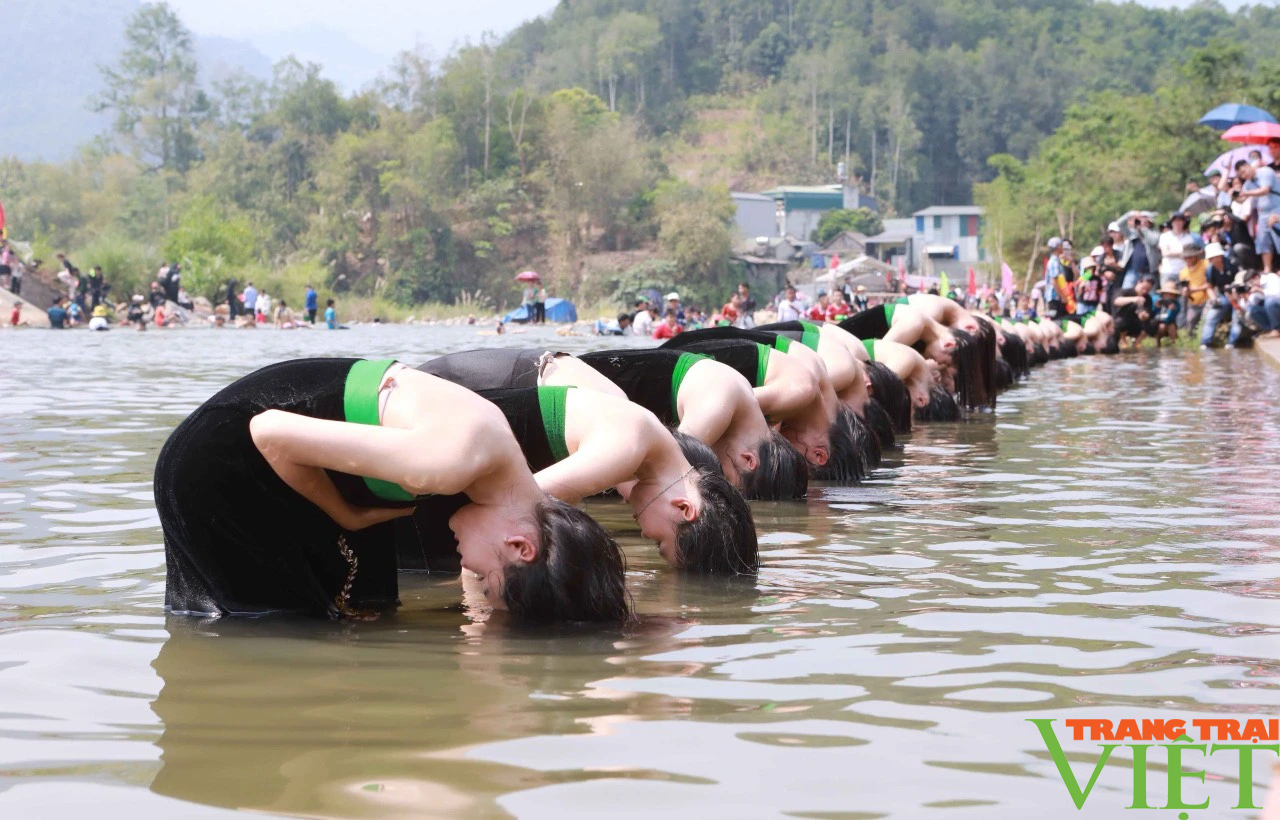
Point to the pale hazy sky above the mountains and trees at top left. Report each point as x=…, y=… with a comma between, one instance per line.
x=383, y=26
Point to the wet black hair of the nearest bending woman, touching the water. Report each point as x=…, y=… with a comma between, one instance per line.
x=578, y=575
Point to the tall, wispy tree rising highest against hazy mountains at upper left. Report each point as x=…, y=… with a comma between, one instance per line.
x=153, y=90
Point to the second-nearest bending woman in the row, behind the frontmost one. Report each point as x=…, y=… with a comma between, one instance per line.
x=584, y=442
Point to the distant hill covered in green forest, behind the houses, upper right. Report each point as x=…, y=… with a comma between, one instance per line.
x=921, y=91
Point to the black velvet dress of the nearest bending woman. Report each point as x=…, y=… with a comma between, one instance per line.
x=240, y=542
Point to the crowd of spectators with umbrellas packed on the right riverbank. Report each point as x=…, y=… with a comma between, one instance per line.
x=1209, y=269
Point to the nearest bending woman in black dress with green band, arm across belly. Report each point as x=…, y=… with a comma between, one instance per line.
x=336, y=450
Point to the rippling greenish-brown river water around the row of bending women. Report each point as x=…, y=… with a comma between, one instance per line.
x=1107, y=546
